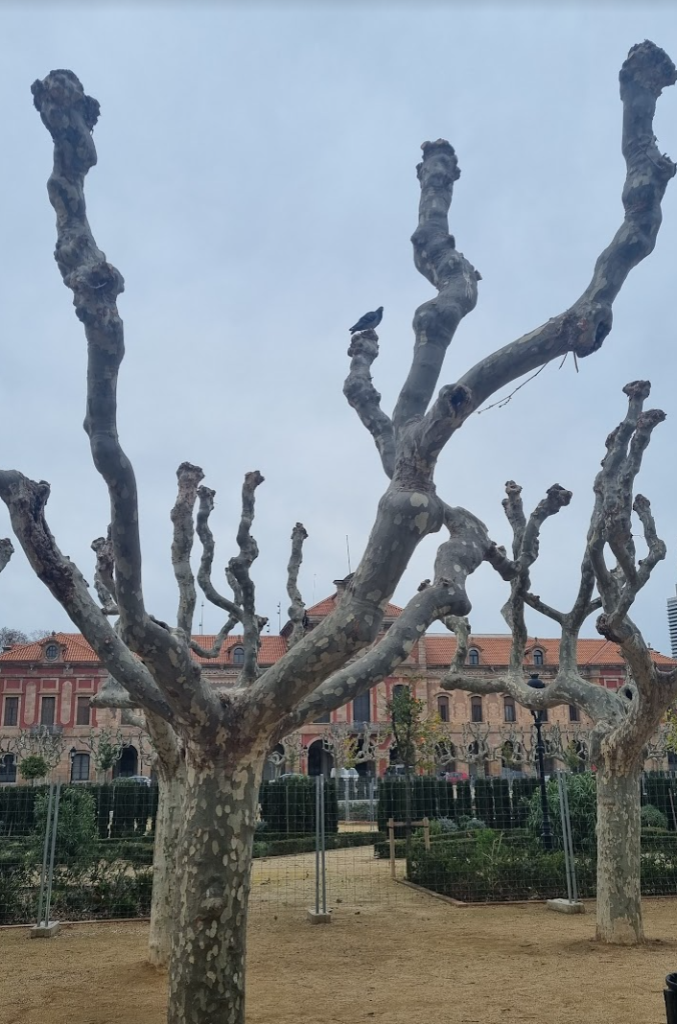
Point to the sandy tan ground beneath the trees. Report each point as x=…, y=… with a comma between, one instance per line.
x=391, y=957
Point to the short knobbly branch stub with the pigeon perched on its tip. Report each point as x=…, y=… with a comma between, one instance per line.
x=364, y=398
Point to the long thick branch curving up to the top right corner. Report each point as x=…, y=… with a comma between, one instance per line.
x=583, y=328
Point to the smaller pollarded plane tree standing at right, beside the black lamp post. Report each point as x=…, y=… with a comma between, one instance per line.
x=624, y=721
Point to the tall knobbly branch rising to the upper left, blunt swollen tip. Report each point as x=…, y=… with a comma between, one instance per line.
x=70, y=117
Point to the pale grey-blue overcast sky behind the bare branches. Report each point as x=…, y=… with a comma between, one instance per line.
x=257, y=188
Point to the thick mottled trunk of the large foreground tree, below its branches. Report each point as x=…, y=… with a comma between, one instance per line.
x=207, y=973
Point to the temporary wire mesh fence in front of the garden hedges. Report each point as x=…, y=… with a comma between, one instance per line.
x=482, y=842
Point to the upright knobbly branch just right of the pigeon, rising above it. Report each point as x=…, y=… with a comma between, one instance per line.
x=438, y=260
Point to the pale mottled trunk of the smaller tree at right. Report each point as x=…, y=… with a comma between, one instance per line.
x=619, y=835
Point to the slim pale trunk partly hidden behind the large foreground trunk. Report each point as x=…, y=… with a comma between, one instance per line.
x=168, y=827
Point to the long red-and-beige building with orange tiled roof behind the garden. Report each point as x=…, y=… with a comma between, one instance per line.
x=47, y=687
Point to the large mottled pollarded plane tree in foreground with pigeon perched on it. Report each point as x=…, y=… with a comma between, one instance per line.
x=227, y=737
